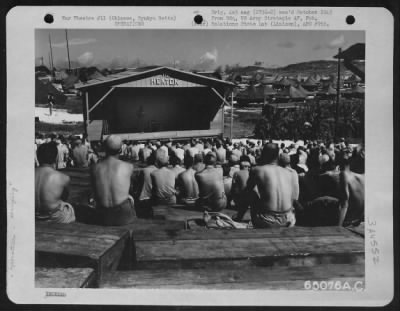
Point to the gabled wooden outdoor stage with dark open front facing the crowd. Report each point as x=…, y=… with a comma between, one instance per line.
x=157, y=103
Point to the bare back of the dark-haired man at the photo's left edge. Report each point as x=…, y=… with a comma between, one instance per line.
x=51, y=188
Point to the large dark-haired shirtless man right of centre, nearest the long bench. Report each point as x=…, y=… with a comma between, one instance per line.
x=278, y=189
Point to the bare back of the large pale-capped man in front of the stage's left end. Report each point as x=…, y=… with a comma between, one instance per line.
x=111, y=181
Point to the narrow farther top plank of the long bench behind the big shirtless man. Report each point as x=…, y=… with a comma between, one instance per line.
x=214, y=234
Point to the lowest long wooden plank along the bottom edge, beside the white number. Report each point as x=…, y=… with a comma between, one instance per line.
x=247, y=278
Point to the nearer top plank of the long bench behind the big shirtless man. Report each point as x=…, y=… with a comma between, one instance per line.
x=281, y=250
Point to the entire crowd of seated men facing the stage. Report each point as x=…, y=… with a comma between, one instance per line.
x=309, y=183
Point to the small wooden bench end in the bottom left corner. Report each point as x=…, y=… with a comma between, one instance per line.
x=65, y=278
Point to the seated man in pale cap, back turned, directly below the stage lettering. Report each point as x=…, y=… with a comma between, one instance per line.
x=163, y=180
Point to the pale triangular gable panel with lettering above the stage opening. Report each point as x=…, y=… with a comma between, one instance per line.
x=160, y=81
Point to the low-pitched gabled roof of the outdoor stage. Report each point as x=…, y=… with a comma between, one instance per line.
x=129, y=76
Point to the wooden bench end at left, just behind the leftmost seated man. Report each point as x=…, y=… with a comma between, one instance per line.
x=79, y=245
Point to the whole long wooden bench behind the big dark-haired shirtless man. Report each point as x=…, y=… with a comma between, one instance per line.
x=297, y=246
